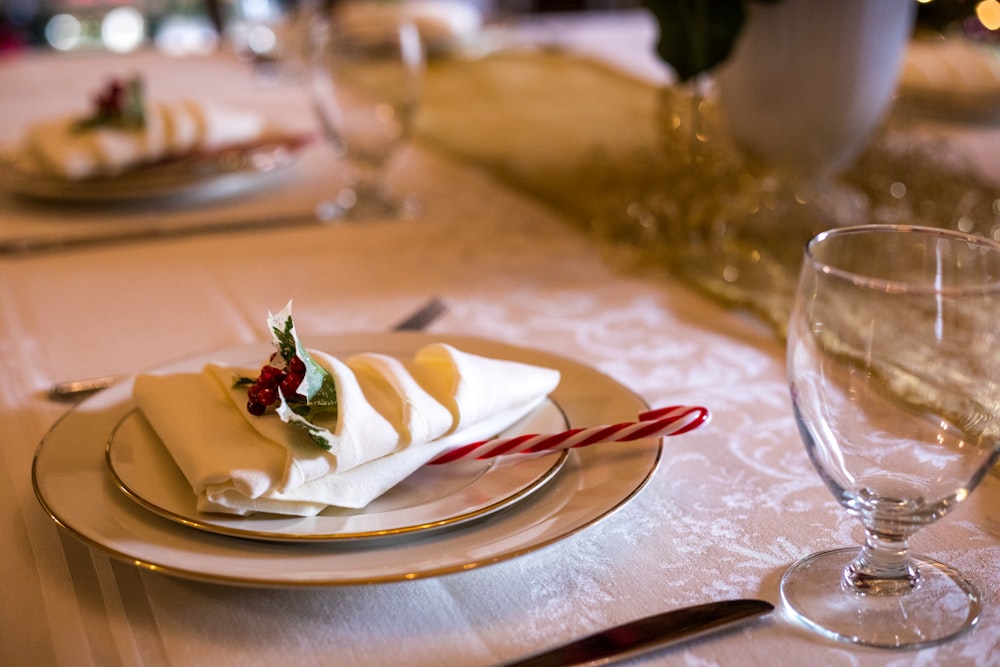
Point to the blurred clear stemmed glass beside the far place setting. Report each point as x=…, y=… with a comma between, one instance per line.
x=367, y=66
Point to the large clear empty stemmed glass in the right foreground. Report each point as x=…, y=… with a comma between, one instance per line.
x=894, y=368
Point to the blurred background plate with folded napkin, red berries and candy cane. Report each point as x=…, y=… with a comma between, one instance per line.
x=131, y=145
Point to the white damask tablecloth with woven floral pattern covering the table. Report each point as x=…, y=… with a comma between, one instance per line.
x=730, y=507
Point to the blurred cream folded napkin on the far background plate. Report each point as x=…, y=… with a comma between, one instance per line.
x=173, y=129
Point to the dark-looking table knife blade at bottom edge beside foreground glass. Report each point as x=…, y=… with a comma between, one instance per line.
x=646, y=634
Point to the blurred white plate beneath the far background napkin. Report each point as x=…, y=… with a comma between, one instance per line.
x=210, y=177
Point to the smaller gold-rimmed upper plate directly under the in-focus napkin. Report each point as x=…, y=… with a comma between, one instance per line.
x=433, y=497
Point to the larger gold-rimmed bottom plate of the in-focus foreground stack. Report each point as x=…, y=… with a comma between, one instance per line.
x=72, y=484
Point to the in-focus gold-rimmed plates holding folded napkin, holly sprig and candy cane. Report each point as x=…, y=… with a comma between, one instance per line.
x=556, y=447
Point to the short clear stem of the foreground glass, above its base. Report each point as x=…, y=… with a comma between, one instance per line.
x=883, y=567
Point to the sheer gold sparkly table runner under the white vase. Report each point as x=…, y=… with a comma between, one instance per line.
x=609, y=152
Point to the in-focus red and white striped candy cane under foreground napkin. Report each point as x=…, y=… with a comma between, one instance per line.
x=674, y=420
